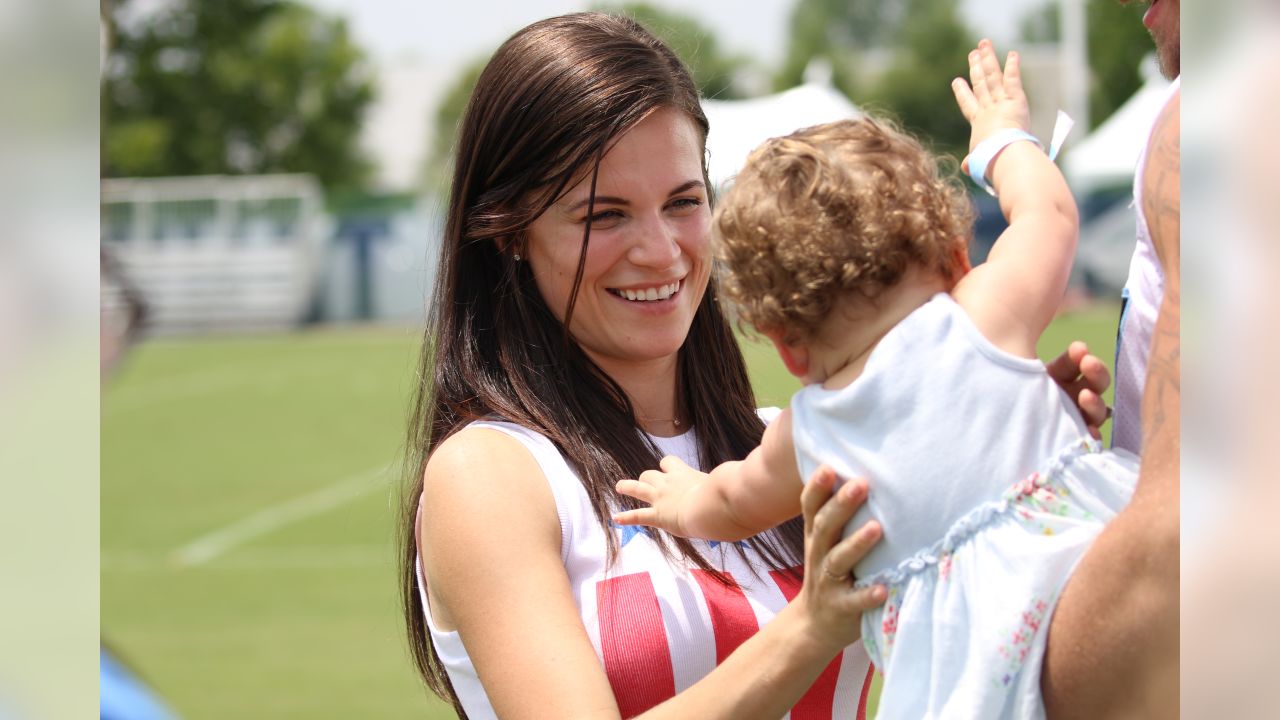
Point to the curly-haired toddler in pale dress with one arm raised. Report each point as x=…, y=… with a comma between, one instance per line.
x=847, y=247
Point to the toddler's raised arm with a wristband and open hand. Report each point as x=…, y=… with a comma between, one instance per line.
x=1014, y=295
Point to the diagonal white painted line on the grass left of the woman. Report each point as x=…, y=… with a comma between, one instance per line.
x=212, y=545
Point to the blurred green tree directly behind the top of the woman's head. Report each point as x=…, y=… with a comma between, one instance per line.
x=716, y=72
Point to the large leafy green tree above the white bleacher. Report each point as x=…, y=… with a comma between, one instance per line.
x=235, y=86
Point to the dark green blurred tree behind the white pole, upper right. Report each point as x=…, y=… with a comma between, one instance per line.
x=1118, y=43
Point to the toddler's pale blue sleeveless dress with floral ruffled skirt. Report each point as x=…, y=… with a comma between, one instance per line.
x=989, y=489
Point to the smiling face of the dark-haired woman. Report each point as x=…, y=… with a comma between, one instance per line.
x=648, y=258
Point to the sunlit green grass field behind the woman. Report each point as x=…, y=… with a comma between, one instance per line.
x=249, y=509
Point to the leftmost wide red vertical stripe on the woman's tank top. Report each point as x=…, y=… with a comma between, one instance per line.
x=634, y=644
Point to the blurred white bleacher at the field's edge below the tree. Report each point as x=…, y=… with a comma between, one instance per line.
x=218, y=253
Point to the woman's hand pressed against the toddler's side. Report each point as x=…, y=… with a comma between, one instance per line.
x=829, y=596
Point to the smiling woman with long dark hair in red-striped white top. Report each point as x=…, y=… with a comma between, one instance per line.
x=574, y=341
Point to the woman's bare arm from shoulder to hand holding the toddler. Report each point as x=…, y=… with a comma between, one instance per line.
x=491, y=546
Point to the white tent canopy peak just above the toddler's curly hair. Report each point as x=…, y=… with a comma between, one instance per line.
x=740, y=126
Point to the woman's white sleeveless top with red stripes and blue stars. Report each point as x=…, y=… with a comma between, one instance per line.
x=657, y=630
